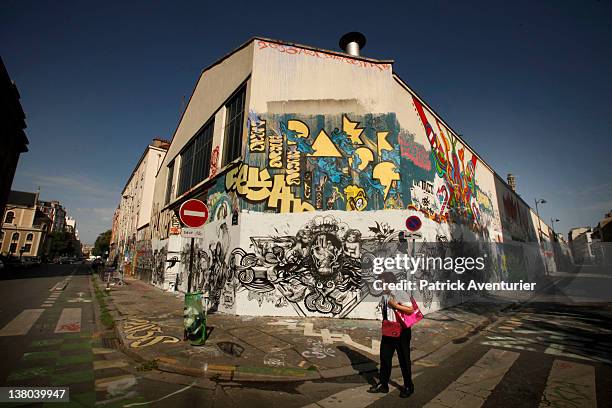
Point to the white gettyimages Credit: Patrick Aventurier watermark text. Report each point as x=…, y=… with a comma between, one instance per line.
x=411, y=264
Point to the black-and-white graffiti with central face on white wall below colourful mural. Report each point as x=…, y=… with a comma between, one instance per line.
x=325, y=268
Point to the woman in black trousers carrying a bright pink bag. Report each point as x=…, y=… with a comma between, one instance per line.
x=390, y=302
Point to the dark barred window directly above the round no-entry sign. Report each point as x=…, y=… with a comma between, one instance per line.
x=195, y=159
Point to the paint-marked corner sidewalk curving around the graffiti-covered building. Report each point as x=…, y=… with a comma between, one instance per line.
x=149, y=324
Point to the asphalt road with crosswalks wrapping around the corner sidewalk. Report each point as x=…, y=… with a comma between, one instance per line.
x=555, y=351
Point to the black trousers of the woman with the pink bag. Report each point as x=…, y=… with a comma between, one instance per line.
x=388, y=347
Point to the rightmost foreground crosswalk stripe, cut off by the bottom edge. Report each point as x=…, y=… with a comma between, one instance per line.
x=570, y=385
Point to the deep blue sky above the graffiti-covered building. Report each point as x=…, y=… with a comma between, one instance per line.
x=528, y=84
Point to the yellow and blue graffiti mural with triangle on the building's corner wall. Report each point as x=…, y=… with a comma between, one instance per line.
x=296, y=163
